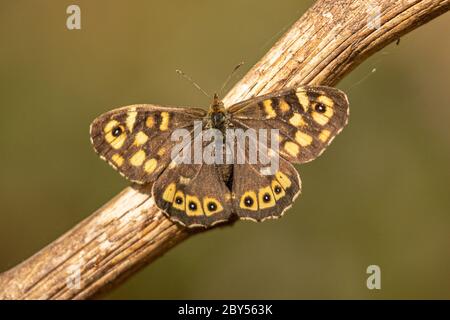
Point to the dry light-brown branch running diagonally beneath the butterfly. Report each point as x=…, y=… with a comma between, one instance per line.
x=128, y=232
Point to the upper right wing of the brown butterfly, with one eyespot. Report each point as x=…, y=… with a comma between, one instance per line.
x=308, y=119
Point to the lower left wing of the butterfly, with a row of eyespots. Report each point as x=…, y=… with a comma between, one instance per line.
x=193, y=194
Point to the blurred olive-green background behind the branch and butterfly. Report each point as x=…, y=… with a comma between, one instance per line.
x=386, y=177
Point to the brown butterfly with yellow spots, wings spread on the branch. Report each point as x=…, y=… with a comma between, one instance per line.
x=137, y=141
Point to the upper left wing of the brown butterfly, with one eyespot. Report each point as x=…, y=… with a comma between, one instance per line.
x=136, y=140
